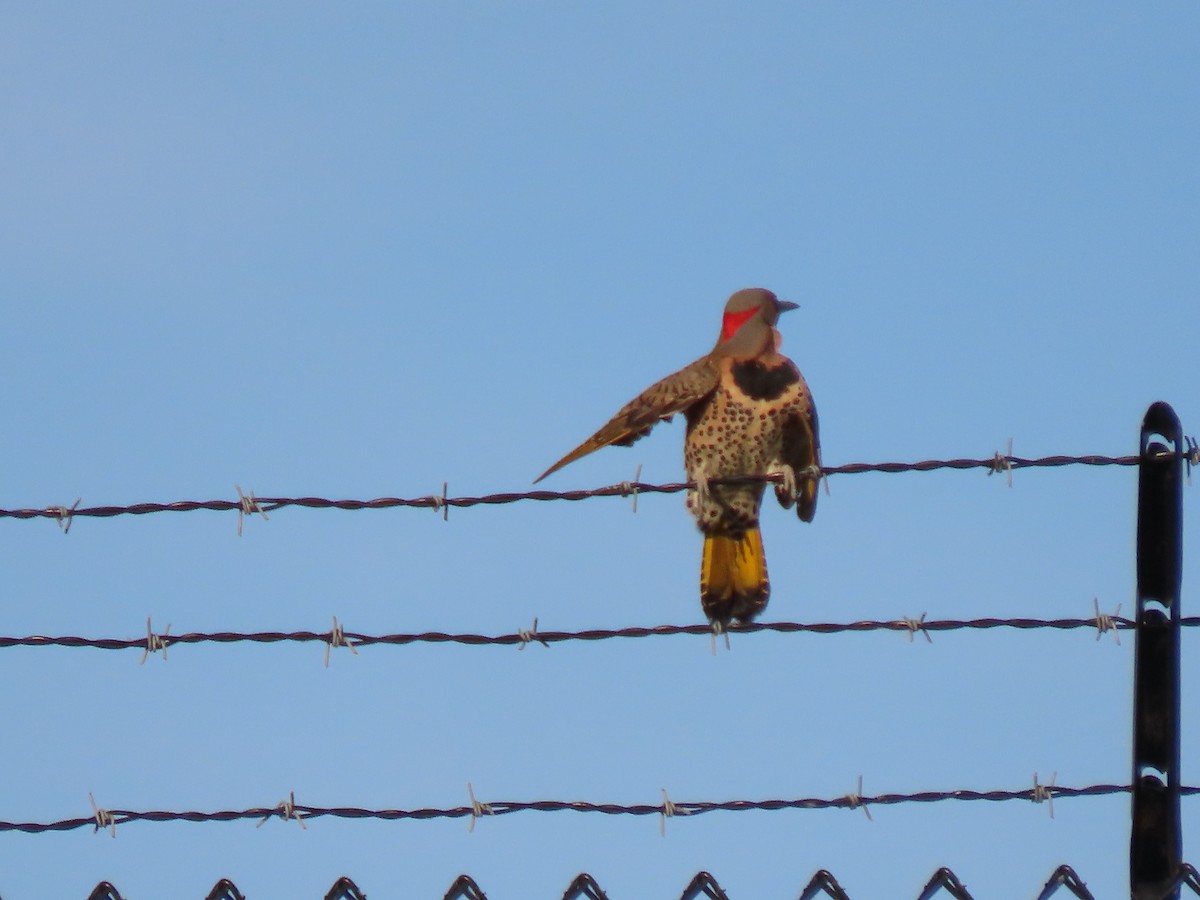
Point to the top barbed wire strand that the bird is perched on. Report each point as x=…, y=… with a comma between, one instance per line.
x=250, y=505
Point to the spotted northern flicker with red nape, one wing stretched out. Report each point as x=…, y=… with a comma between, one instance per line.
x=749, y=413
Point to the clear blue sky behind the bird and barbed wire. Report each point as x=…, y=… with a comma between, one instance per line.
x=359, y=250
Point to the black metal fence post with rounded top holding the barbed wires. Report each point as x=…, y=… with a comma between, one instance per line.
x=1156, y=841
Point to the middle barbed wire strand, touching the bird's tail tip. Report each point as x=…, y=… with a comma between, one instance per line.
x=339, y=637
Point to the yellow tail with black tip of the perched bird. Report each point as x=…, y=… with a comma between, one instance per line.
x=734, y=581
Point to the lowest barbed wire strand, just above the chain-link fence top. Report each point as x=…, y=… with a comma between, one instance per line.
x=110, y=819
